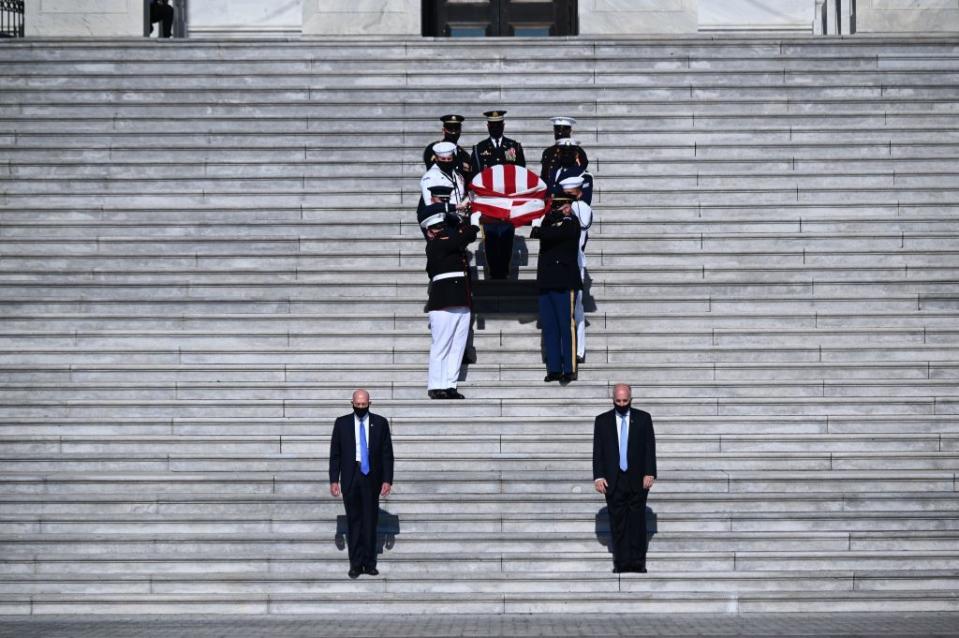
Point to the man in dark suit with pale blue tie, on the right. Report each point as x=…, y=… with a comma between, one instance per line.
x=624, y=469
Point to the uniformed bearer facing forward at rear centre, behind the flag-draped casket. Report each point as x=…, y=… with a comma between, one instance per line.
x=497, y=149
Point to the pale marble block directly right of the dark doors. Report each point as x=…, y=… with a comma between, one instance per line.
x=629, y=17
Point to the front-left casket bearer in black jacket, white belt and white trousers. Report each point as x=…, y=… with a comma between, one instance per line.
x=450, y=301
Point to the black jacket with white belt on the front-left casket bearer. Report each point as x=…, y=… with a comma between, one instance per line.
x=446, y=253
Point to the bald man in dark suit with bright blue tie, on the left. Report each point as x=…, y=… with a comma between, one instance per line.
x=361, y=470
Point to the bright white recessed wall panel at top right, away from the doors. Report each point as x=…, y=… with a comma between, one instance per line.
x=794, y=15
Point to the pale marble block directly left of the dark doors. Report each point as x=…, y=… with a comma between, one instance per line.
x=361, y=17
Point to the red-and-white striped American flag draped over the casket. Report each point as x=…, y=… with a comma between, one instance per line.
x=509, y=192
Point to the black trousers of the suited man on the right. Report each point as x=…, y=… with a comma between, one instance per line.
x=627, y=524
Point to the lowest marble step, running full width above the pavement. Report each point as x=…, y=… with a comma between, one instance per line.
x=473, y=603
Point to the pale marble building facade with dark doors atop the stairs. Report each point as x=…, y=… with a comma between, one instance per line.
x=479, y=18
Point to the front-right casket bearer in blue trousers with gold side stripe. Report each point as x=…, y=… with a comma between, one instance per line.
x=558, y=279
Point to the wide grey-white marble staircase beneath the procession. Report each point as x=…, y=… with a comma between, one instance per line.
x=205, y=246
